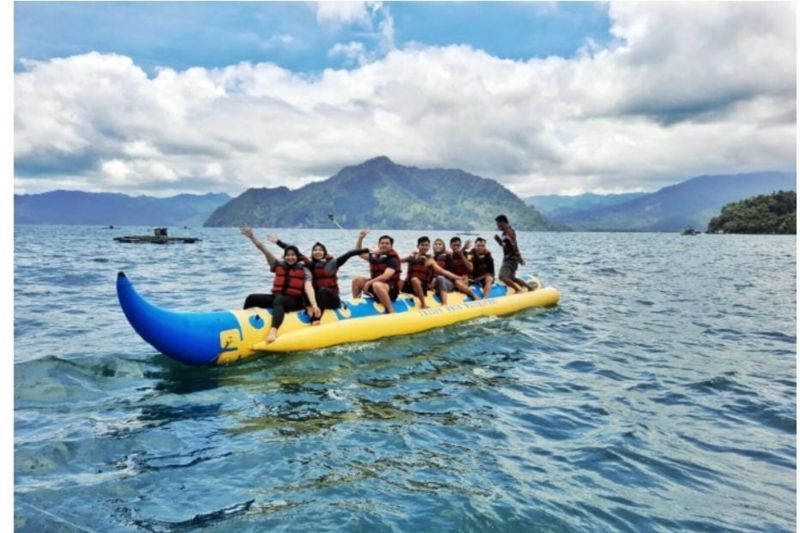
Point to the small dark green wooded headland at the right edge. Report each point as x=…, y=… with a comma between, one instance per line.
x=774, y=213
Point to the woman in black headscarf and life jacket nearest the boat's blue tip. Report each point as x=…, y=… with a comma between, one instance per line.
x=292, y=282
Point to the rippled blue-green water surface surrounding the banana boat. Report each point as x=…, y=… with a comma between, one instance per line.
x=659, y=395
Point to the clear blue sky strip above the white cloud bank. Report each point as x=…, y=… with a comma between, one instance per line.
x=211, y=34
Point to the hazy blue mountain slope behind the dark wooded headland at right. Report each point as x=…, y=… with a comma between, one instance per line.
x=690, y=203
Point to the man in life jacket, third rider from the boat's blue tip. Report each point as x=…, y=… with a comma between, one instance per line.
x=384, y=269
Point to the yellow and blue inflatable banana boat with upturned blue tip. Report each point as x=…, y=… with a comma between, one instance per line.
x=222, y=337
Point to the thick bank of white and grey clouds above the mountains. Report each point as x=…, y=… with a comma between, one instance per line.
x=683, y=90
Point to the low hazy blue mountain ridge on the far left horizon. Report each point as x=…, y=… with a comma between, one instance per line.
x=77, y=207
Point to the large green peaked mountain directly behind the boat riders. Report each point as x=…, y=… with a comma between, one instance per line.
x=381, y=194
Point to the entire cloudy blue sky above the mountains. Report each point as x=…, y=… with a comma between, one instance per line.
x=544, y=97
